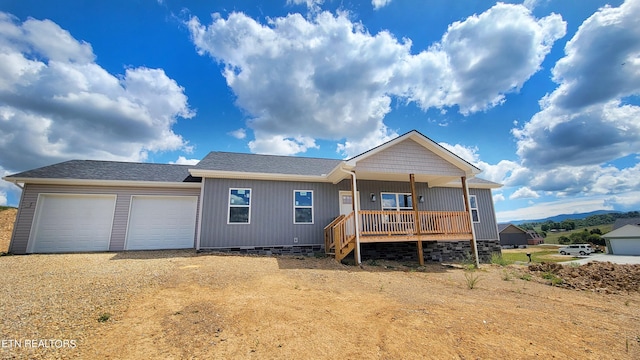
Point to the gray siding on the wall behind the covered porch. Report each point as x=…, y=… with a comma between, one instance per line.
x=435, y=199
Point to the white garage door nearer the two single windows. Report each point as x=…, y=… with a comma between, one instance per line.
x=161, y=222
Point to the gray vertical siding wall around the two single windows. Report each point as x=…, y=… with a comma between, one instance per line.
x=271, y=219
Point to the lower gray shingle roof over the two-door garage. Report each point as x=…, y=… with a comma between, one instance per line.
x=111, y=170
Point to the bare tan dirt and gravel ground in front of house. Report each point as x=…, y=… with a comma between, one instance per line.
x=181, y=305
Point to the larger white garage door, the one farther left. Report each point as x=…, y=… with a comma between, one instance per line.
x=72, y=222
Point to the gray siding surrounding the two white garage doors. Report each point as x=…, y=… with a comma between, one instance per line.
x=29, y=200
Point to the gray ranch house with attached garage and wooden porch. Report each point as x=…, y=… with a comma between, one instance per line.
x=413, y=200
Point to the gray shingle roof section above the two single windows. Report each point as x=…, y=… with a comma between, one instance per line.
x=270, y=164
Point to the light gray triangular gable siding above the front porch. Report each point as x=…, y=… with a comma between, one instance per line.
x=408, y=157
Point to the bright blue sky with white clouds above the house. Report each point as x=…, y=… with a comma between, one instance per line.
x=544, y=96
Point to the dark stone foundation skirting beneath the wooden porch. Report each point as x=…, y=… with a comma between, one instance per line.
x=434, y=251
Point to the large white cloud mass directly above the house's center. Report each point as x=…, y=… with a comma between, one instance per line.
x=327, y=77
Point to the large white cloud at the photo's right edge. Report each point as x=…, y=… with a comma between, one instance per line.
x=587, y=120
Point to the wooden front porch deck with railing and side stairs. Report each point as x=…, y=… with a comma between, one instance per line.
x=395, y=226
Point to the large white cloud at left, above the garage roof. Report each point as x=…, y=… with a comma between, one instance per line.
x=56, y=103
